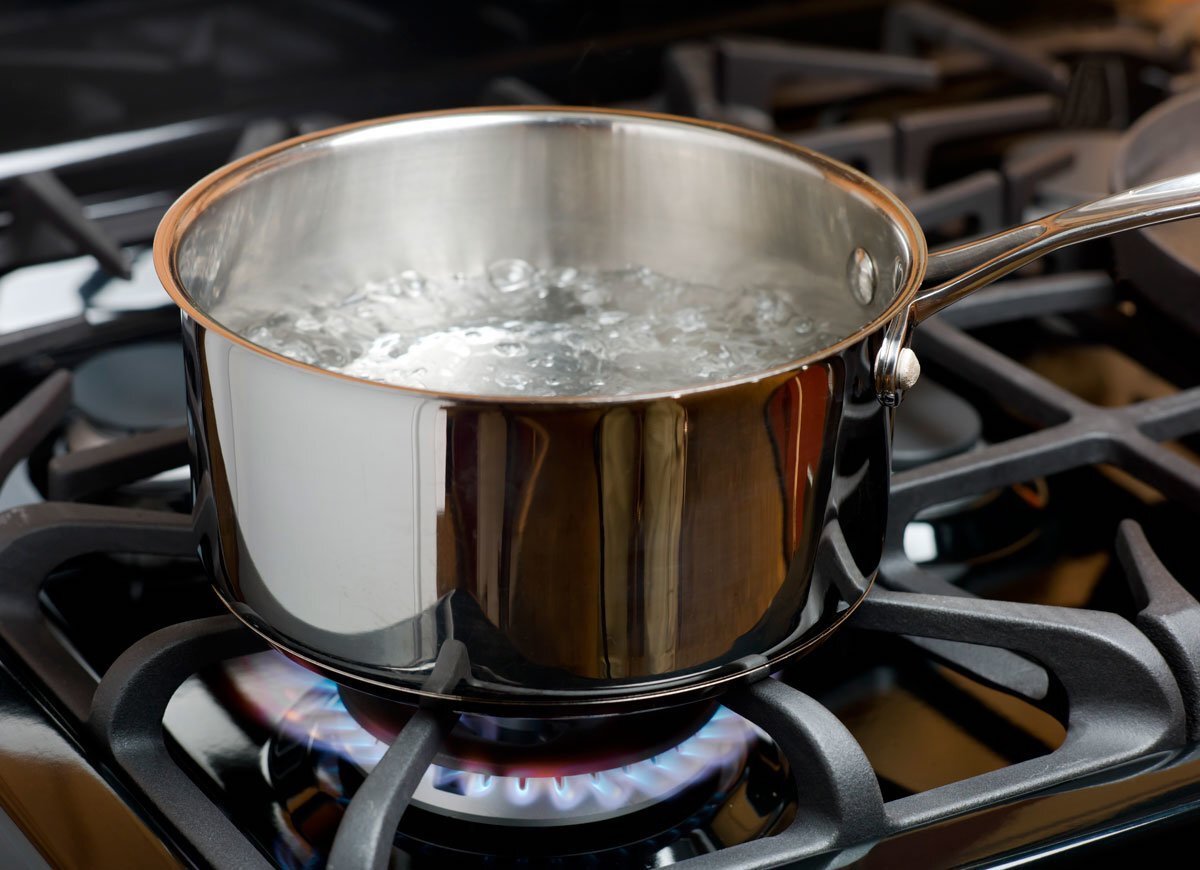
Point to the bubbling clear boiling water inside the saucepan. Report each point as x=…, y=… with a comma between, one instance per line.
x=523, y=332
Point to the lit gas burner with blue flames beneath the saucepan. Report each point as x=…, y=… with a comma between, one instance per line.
x=723, y=782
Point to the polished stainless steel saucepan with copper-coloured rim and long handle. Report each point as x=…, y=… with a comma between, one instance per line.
x=591, y=554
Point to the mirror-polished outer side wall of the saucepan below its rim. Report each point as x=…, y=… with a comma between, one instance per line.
x=583, y=553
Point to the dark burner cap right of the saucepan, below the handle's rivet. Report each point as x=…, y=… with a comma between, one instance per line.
x=932, y=425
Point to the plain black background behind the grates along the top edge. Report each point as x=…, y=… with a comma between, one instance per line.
x=70, y=70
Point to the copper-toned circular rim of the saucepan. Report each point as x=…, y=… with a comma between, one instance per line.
x=211, y=189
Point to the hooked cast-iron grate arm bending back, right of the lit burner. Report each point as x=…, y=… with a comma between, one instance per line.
x=1119, y=694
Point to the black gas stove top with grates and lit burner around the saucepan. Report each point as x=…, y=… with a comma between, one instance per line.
x=1023, y=682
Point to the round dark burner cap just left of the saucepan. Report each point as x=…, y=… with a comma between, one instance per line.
x=135, y=388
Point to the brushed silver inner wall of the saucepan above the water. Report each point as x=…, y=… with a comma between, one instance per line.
x=453, y=194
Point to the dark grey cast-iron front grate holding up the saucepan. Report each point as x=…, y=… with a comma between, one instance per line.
x=1124, y=694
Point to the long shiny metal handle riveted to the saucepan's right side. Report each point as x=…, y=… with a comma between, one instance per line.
x=956, y=272
